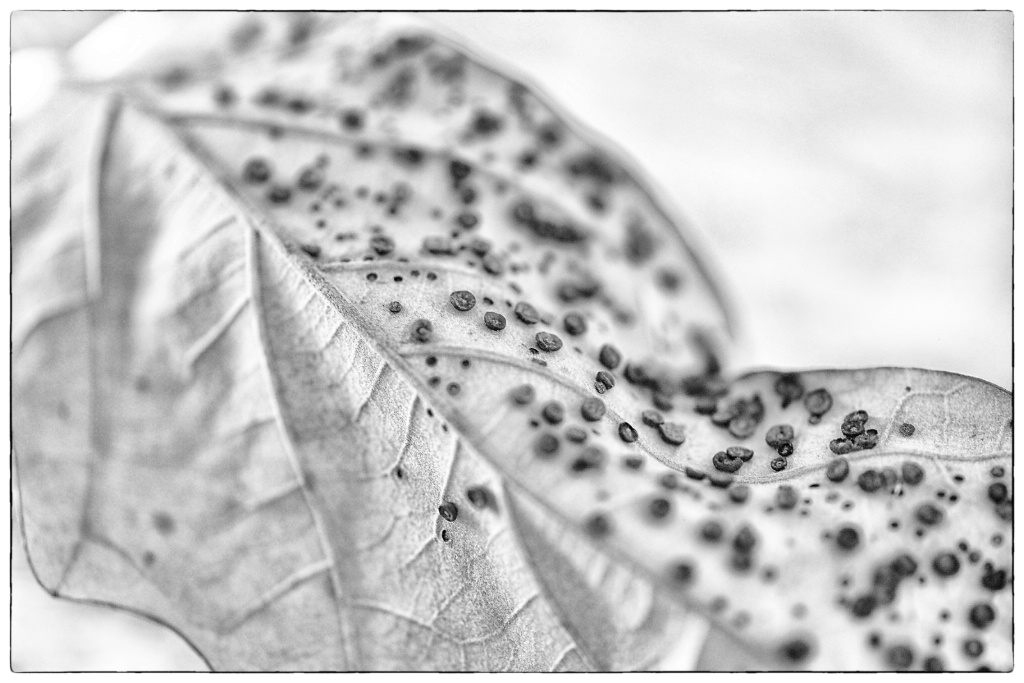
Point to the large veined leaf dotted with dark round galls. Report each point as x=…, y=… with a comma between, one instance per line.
x=224, y=421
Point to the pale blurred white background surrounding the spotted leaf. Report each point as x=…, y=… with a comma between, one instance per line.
x=849, y=174
